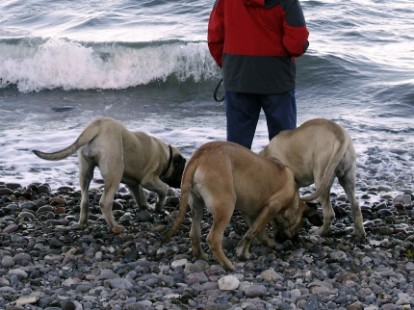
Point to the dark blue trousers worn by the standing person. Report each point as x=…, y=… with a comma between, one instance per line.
x=243, y=111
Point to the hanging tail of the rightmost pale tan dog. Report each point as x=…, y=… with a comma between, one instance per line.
x=329, y=173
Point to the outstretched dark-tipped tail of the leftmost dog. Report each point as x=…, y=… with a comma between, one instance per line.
x=85, y=137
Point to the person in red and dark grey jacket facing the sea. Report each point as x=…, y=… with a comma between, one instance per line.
x=256, y=43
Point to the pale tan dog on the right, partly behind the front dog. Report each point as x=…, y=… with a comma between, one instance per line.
x=318, y=151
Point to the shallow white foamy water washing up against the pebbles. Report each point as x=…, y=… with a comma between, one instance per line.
x=384, y=158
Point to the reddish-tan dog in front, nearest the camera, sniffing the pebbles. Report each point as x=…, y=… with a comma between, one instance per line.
x=224, y=176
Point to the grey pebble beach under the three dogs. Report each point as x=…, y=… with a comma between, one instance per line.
x=47, y=264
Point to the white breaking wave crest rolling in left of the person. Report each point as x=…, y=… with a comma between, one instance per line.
x=35, y=66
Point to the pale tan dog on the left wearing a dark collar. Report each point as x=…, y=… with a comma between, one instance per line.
x=134, y=158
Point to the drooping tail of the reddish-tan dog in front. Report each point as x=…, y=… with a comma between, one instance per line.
x=184, y=198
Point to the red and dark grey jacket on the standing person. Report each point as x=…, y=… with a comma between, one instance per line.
x=256, y=42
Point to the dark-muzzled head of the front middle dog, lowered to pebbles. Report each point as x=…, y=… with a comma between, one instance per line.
x=295, y=218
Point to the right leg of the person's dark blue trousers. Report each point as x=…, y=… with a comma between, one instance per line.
x=280, y=111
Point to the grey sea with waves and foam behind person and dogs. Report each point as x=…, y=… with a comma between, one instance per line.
x=146, y=63
